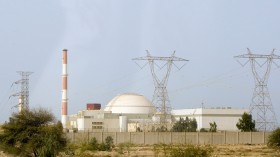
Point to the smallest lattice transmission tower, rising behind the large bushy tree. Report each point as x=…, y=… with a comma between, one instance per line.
x=23, y=95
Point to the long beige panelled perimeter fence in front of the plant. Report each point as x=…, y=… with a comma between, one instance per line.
x=149, y=138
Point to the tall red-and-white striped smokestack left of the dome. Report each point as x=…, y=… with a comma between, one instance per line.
x=64, y=101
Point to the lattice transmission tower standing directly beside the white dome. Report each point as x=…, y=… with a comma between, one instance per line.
x=160, y=97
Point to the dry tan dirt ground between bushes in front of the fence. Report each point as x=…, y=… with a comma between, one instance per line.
x=218, y=151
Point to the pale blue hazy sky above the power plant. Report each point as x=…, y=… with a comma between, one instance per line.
x=103, y=36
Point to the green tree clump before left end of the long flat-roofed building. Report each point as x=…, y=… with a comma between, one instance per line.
x=185, y=125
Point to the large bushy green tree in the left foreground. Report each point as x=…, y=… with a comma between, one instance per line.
x=33, y=133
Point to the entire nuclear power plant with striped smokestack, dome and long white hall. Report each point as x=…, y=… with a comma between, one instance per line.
x=133, y=112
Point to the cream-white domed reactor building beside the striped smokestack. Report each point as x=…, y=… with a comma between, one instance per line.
x=125, y=112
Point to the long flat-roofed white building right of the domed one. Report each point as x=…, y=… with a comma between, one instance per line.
x=225, y=117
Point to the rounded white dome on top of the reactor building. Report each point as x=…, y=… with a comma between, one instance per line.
x=130, y=104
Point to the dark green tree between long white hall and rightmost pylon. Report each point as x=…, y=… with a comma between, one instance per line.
x=246, y=123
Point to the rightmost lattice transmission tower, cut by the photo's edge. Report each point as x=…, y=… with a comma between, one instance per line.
x=261, y=106
